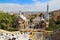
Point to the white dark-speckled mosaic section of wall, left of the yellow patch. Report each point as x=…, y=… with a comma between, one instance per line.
x=18, y=36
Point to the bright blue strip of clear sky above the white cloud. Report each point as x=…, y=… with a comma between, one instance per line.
x=21, y=1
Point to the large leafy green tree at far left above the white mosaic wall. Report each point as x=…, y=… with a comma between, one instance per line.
x=6, y=21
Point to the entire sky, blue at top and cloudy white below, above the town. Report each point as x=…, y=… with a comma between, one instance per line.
x=28, y=5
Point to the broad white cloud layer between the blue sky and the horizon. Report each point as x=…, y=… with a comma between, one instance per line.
x=36, y=6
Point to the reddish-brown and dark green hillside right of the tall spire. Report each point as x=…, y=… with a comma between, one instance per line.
x=54, y=22
